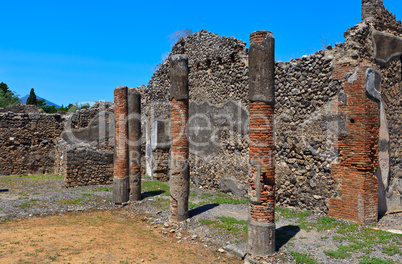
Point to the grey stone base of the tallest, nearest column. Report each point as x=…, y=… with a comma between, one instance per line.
x=261, y=238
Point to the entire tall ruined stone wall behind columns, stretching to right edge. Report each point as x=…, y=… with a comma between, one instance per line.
x=311, y=114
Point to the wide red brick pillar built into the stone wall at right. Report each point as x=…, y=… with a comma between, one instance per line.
x=358, y=159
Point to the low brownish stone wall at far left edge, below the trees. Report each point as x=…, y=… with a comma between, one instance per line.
x=27, y=141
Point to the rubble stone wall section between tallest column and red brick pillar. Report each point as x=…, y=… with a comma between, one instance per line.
x=305, y=128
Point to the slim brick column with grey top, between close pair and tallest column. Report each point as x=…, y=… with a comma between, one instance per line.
x=179, y=169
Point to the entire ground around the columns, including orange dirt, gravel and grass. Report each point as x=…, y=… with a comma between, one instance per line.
x=41, y=221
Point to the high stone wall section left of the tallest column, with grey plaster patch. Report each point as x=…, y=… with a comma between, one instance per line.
x=217, y=75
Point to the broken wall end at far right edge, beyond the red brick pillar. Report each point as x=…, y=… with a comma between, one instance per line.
x=376, y=18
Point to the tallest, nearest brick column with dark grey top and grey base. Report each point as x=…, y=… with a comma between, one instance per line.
x=261, y=226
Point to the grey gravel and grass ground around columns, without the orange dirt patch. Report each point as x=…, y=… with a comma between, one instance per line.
x=217, y=221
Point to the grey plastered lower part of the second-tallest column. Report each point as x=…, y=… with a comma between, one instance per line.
x=179, y=193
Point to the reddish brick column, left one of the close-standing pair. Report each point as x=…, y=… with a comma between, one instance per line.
x=121, y=163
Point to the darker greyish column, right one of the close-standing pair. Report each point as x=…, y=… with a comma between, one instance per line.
x=134, y=137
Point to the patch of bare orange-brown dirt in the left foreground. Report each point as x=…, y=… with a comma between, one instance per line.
x=117, y=236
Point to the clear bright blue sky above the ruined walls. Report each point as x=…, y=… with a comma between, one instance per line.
x=75, y=51
